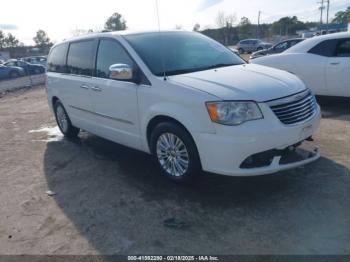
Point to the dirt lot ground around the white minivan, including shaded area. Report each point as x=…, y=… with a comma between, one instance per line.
x=109, y=199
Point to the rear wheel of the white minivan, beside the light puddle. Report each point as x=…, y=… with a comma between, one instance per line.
x=63, y=121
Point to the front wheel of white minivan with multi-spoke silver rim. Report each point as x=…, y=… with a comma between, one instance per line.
x=175, y=168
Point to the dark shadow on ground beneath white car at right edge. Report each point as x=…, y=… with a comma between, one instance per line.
x=335, y=107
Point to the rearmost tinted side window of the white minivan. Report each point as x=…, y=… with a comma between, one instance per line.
x=57, y=59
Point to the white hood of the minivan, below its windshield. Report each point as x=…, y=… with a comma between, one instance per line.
x=243, y=82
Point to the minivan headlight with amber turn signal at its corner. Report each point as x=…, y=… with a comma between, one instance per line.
x=233, y=113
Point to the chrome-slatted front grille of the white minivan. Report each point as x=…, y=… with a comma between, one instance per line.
x=295, y=109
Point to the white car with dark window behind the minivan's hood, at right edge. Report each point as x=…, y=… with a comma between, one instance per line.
x=322, y=62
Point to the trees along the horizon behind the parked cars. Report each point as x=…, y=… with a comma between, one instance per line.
x=228, y=31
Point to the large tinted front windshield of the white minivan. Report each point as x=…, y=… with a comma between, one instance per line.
x=175, y=53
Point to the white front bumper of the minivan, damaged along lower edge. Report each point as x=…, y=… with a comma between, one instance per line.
x=226, y=151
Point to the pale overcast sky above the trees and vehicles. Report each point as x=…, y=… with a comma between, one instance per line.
x=60, y=17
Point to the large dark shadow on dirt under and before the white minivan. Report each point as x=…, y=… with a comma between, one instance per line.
x=118, y=201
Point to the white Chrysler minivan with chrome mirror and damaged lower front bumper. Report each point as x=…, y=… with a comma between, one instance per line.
x=184, y=98
